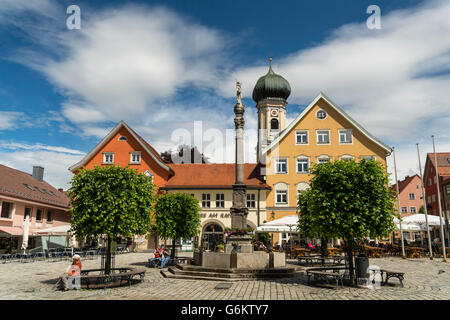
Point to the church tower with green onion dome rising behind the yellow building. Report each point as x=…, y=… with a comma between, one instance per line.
x=270, y=94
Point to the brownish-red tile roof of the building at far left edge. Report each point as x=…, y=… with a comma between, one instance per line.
x=13, y=184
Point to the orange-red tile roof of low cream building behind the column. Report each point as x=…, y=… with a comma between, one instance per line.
x=213, y=175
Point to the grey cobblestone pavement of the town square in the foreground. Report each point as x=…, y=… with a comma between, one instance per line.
x=34, y=280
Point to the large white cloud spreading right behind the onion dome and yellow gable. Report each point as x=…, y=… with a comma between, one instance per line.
x=394, y=81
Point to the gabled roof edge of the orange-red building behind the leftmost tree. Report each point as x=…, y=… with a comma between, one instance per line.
x=148, y=148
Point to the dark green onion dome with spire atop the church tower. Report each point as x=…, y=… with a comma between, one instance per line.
x=271, y=85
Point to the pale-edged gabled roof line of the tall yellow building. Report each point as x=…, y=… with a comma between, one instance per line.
x=321, y=95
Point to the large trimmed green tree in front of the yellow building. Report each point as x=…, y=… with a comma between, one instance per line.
x=348, y=200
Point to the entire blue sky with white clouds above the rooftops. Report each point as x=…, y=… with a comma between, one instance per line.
x=161, y=65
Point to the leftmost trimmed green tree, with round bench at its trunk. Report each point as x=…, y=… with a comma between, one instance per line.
x=111, y=201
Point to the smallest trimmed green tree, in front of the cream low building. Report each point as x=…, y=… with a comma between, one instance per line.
x=177, y=216
